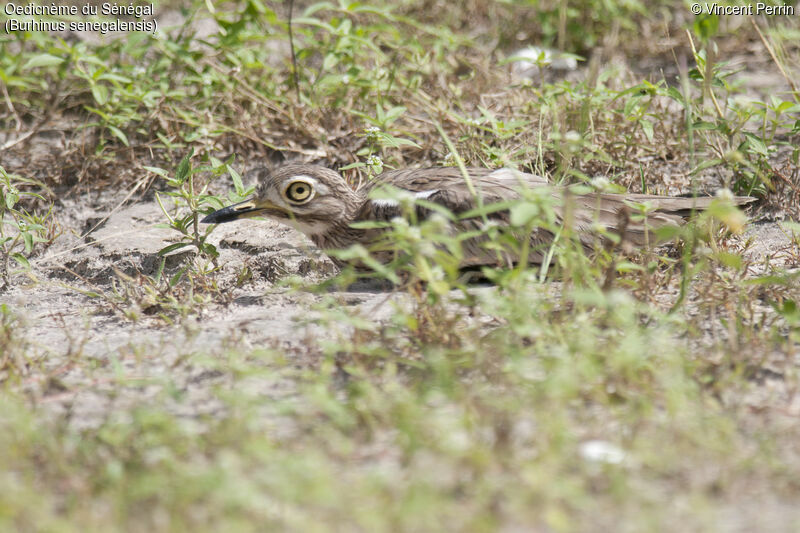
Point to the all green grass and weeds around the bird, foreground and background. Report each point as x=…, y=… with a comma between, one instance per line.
x=620, y=391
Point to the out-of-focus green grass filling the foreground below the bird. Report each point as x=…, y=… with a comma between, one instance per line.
x=430, y=430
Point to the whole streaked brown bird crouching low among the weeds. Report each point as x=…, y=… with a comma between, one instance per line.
x=320, y=203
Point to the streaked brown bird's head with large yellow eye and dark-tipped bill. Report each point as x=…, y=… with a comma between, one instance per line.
x=310, y=198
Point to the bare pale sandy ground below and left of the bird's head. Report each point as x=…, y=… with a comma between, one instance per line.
x=61, y=321
